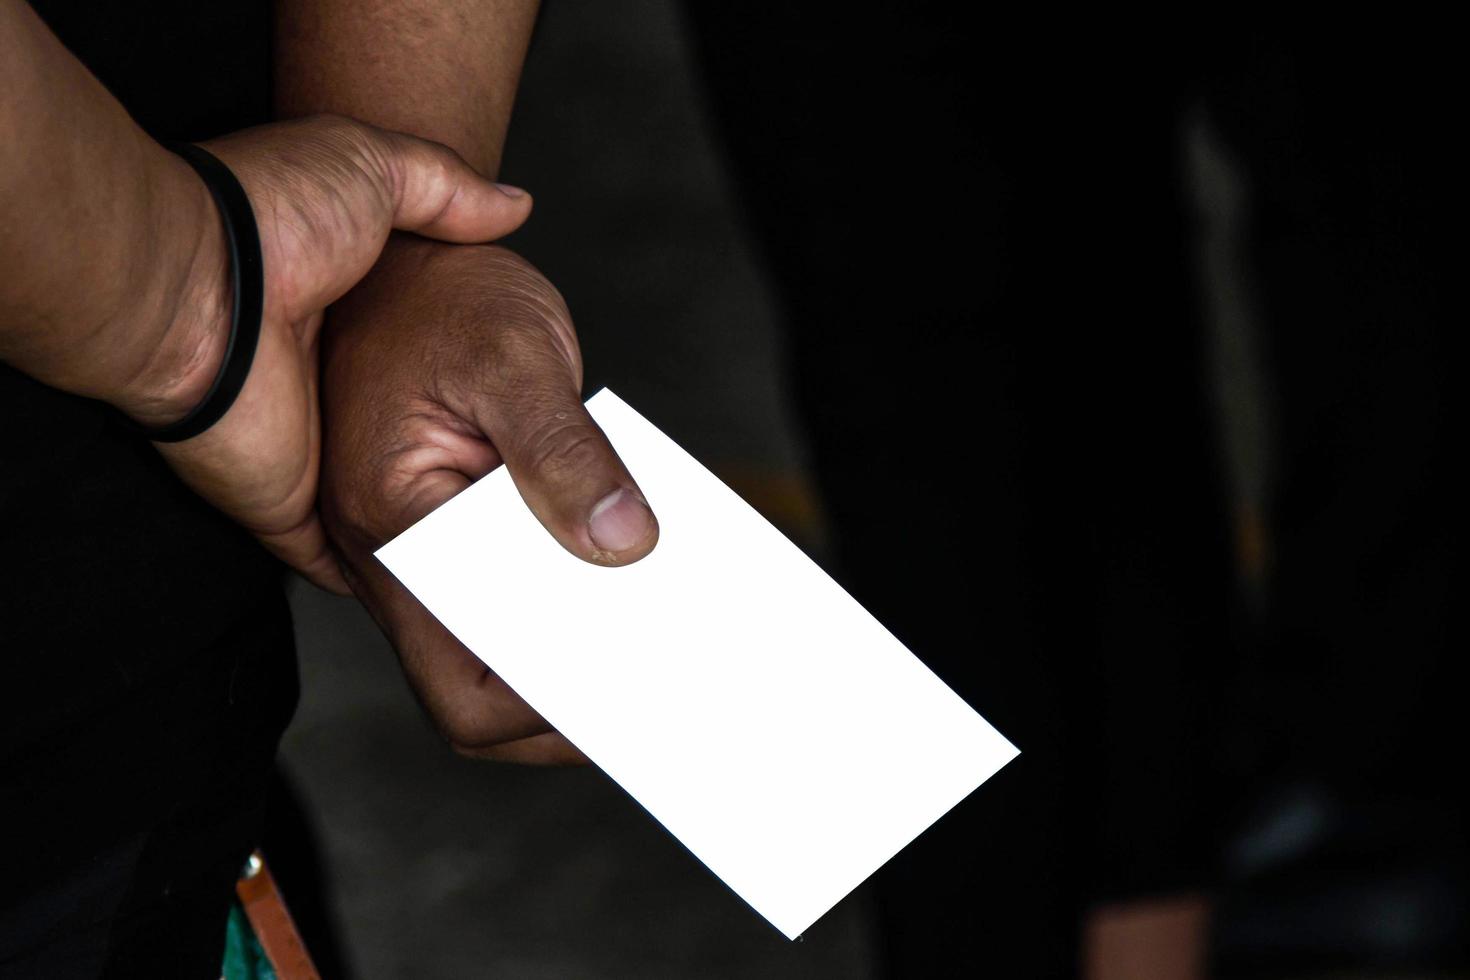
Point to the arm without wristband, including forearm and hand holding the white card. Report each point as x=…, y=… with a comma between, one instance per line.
x=446, y=362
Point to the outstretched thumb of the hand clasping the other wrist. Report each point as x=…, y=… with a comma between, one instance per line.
x=437, y=195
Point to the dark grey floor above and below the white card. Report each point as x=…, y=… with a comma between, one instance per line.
x=442, y=868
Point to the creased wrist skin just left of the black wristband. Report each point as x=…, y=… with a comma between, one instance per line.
x=177, y=328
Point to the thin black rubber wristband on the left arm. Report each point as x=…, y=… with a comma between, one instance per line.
x=248, y=275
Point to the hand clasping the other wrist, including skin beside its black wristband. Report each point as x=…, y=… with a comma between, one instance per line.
x=327, y=192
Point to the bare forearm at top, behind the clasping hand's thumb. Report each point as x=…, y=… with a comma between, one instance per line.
x=442, y=70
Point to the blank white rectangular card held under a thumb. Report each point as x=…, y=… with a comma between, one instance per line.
x=734, y=690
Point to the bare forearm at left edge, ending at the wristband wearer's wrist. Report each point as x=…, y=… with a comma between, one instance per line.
x=105, y=237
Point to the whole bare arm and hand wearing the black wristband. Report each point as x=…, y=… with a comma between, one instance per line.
x=114, y=281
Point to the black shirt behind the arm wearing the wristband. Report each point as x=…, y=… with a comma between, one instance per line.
x=112, y=569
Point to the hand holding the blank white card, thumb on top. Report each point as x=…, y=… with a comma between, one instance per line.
x=445, y=364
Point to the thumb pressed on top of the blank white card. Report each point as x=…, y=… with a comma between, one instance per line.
x=568, y=472
